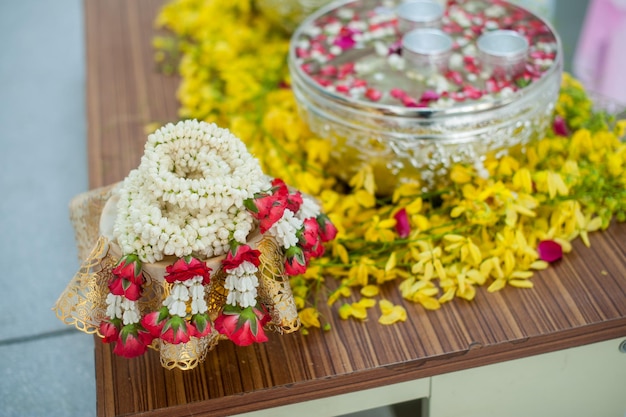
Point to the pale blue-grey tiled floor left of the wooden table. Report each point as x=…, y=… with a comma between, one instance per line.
x=46, y=368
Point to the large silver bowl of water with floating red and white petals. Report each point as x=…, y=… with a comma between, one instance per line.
x=359, y=85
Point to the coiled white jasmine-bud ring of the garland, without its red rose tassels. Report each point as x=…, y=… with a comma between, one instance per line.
x=187, y=195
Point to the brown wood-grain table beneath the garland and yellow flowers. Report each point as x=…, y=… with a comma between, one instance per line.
x=580, y=301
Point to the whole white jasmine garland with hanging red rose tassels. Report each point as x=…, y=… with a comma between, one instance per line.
x=198, y=194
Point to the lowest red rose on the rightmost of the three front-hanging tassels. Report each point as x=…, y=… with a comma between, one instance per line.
x=243, y=327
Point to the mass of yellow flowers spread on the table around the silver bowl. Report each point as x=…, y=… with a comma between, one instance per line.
x=467, y=232
